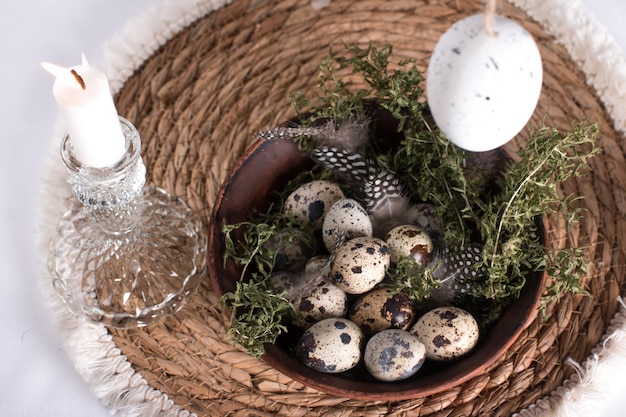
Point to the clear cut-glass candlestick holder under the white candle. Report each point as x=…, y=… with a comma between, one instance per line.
x=125, y=254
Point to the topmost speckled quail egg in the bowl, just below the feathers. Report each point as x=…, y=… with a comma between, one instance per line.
x=310, y=202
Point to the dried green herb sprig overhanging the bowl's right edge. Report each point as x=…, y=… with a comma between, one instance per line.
x=529, y=189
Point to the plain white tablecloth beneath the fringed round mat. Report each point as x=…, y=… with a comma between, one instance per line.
x=36, y=377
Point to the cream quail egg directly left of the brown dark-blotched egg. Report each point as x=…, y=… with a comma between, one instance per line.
x=326, y=300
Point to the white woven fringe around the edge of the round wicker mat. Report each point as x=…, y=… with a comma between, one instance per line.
x=126, y=393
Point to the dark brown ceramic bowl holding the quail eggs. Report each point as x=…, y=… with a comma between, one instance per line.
x=269, y=166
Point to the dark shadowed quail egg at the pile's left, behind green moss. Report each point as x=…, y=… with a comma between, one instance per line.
x=293, y=248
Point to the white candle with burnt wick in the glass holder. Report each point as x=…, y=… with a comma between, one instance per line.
x=91, y=120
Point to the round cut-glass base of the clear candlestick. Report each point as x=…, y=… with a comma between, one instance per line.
x=129, y=277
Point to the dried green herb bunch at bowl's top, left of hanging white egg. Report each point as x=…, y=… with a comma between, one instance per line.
x=432, y=168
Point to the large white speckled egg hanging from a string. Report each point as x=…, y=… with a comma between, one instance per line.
x=482, y=89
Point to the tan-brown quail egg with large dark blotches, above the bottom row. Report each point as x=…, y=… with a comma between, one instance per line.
x=379, y=309
